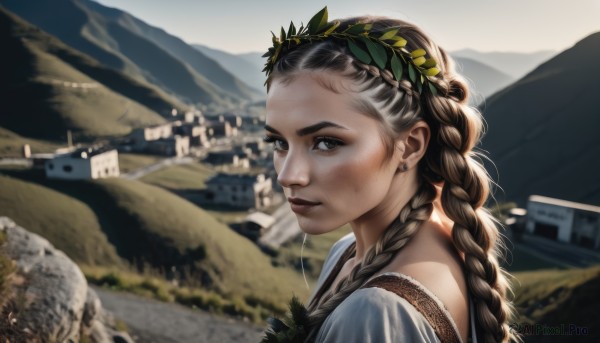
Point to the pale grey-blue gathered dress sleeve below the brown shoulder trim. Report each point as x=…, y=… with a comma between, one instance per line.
x=375, y=315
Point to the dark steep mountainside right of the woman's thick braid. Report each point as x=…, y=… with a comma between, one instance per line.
x=543, y=129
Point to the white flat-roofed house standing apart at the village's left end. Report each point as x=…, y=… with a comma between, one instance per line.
x=84, y=163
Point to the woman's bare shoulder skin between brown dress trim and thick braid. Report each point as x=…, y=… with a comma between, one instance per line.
x=431, y=260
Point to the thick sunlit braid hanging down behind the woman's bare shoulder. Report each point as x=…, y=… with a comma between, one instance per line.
x=465, y=189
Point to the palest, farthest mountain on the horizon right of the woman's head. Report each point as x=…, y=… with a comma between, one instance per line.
x=515, y=64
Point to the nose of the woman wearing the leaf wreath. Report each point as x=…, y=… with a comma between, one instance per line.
x=294, y=169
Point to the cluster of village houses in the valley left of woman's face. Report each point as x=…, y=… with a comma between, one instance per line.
x=231, y=144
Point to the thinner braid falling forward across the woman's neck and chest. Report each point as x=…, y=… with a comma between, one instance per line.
x=416, y=211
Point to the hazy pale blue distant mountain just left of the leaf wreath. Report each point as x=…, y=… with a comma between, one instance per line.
x=239, y=66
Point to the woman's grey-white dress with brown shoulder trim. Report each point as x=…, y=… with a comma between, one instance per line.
x=378, y=315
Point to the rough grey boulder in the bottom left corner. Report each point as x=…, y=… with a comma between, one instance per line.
x=51, y=298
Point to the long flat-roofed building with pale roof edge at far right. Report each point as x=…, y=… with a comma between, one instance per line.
x=564, y=221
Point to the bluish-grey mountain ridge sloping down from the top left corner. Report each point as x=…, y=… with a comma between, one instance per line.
x=123, y=42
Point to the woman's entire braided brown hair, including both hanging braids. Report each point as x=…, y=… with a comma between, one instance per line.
x=449, y=162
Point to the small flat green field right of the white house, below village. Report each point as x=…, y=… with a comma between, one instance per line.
x=180, y=177
